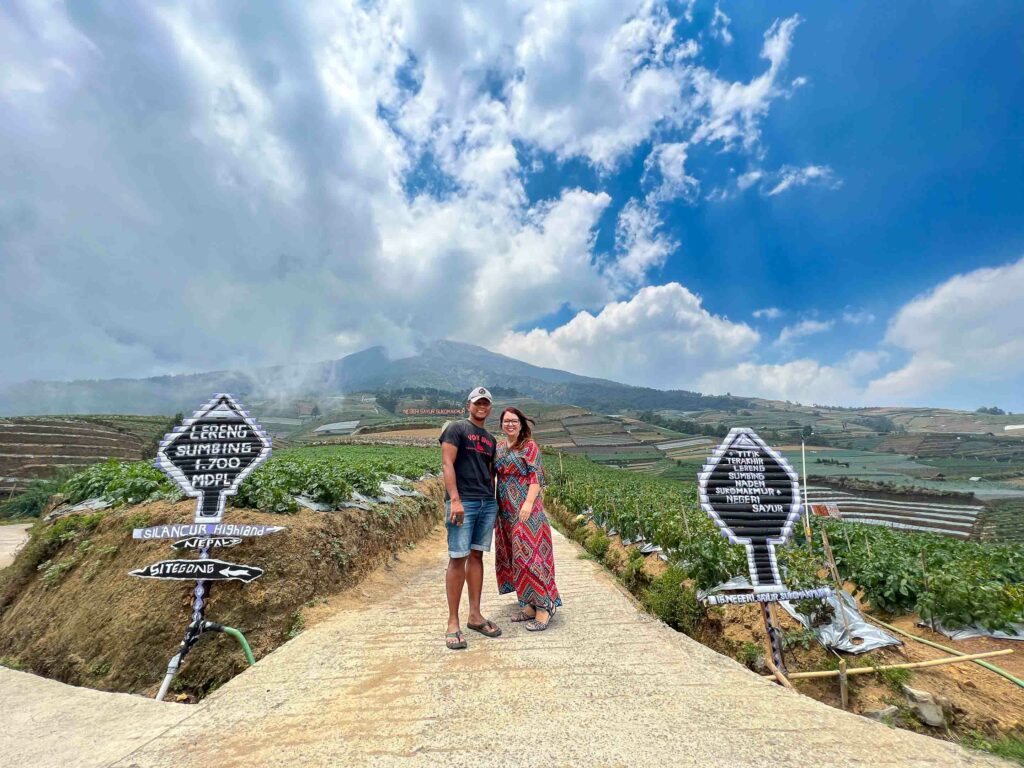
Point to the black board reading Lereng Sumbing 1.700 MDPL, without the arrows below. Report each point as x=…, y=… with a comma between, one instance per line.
x=212, y=453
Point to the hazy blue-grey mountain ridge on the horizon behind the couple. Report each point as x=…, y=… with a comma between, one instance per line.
x=443, y=365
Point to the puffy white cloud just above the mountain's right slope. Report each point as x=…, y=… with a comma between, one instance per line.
x=662, y=337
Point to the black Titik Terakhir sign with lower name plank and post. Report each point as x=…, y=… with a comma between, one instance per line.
x=753, y=495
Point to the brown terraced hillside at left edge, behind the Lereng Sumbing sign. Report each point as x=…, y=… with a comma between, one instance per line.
x=33, y=448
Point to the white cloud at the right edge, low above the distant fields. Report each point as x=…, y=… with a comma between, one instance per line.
x=965, y=334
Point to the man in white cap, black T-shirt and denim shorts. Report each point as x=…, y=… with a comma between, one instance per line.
x=468, y=464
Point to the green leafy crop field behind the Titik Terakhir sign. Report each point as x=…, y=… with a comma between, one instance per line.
x=954, y=582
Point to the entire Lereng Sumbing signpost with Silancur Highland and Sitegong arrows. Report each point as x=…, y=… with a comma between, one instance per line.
x=208, y=456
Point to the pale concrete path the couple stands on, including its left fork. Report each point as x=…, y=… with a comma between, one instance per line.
x=373, y=686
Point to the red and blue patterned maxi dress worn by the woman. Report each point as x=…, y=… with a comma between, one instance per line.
x=524, y=556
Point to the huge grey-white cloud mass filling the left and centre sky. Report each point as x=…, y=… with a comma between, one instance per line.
x=185, y=188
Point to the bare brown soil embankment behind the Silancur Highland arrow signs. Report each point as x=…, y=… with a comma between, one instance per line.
x=69, y=611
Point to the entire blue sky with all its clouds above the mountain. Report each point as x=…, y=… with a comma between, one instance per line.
x=806, y=201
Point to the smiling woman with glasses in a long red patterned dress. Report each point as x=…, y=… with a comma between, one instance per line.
x=524, y=556
